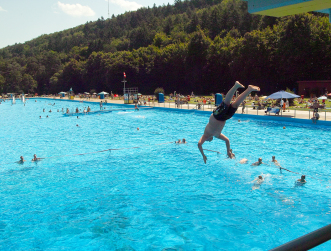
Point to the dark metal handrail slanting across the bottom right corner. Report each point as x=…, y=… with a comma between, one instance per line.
x=307, y=241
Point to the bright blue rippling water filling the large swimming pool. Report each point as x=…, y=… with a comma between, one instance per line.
x=158, y=196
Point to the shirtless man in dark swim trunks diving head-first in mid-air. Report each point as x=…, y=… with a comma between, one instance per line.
x=222, y=113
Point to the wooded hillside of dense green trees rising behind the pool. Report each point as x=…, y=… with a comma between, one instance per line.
x=198, y=45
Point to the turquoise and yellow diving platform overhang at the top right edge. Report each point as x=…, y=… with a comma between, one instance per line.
x=280, y=8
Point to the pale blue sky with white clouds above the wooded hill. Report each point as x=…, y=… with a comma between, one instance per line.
x=23, y=20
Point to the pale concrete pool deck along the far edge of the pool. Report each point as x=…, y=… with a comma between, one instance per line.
x=291, y=115
